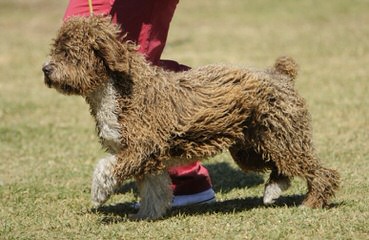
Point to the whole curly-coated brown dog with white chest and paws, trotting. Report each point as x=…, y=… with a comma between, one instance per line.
x=150, y=119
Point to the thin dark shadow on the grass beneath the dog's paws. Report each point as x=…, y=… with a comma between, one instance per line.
x=120, y=212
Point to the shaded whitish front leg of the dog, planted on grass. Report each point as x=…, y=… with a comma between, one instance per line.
x=156, y=195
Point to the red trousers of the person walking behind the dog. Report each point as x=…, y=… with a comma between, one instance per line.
x=146, y=22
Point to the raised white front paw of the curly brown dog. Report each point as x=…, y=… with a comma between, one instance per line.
x=103, y=181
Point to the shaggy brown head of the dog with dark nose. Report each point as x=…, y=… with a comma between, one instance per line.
x=85, y=53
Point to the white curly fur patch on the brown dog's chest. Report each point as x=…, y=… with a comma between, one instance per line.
x=106, y=114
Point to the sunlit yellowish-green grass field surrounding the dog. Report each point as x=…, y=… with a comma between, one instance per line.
x=48, y=146
